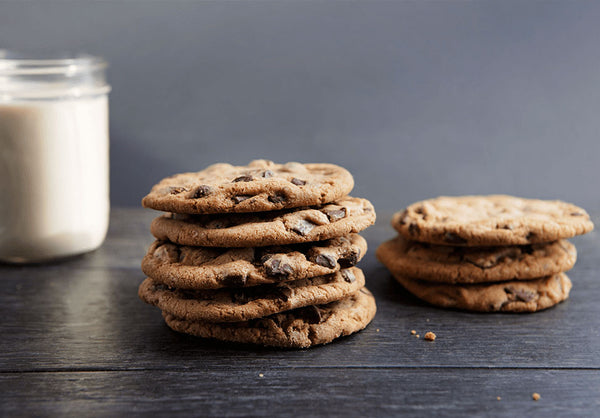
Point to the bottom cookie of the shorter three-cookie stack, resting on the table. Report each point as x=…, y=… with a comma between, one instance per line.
x=510, y=296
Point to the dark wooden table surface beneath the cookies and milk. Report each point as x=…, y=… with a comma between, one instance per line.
x=76, y=340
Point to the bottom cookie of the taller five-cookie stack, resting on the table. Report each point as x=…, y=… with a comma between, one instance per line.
x=300, y=328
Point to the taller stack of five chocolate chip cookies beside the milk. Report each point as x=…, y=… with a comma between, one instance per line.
x=263, y=254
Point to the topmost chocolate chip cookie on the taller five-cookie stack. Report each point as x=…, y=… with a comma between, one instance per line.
x=260, y=186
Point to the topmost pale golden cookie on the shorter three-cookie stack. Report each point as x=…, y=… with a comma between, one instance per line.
x=490, y=220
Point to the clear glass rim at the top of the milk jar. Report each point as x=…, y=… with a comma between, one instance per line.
x=12, y=63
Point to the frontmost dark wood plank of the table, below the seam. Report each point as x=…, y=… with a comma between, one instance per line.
x=304, y=392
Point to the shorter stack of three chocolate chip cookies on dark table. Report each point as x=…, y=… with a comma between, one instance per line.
x=485, y=253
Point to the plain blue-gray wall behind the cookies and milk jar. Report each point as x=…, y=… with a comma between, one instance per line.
x=417, y=99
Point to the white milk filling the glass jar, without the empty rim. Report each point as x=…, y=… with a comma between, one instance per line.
x=54, y=176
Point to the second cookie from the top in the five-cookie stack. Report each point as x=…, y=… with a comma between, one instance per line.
x=345, y=216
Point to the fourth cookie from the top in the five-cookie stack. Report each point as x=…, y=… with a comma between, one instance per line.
x=234, y=305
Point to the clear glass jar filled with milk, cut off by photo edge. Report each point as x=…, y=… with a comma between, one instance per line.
x=54, y=197
